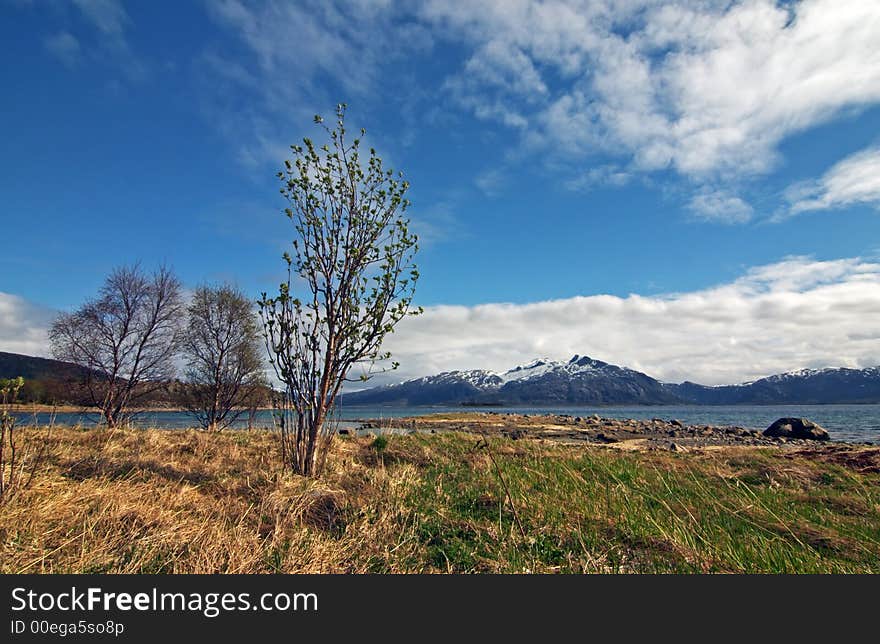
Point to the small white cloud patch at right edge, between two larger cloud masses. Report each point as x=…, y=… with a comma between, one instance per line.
x=854, y=180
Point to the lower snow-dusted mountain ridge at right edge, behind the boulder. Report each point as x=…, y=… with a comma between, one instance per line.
x=806, y=386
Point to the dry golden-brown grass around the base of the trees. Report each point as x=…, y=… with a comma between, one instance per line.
x=187, y=502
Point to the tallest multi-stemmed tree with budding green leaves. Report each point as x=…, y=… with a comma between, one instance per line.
x=353, y=263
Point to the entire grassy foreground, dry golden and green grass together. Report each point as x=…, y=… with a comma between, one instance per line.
x=153, y=501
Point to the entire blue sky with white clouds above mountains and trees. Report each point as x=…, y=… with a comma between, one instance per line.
x=690, y=189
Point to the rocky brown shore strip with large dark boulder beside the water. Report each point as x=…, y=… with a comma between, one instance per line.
x=654, y=434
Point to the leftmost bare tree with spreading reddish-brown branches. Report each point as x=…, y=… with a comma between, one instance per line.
x=126, y=339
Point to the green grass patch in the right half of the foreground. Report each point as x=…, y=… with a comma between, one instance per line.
x=601, y=510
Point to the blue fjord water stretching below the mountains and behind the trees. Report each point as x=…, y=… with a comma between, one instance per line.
x=854, y=423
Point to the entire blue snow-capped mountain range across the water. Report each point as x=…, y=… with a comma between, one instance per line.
x=585, y=381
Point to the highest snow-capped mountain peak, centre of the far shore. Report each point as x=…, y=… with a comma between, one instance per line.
x=580, y=381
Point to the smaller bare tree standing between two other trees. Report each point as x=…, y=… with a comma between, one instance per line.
x=223, y=354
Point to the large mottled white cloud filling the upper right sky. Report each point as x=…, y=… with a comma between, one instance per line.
x=708, y=88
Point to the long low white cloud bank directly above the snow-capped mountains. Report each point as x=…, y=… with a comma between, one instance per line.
x=792, y=314
